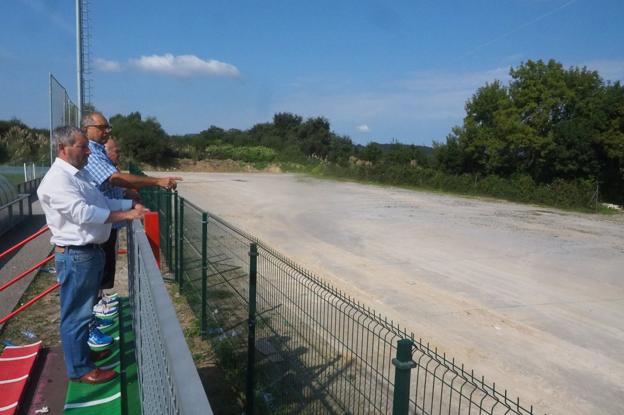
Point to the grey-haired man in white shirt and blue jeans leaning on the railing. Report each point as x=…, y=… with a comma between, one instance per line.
x=80, y=219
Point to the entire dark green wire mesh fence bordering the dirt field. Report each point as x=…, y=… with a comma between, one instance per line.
x=291, y=343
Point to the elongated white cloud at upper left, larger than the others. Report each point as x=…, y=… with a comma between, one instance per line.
x=184, y=65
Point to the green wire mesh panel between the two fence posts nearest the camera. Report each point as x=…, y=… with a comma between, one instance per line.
x=321, y=352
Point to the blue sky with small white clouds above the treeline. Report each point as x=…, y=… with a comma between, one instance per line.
x=378, y=70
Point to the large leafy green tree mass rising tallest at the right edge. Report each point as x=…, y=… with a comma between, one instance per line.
x=549, y=122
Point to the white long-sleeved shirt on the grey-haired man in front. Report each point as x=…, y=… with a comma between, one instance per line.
x=76, y=211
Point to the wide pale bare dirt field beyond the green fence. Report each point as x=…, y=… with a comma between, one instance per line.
x=530, y=297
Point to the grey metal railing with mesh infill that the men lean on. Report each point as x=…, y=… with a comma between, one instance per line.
x=168, y=379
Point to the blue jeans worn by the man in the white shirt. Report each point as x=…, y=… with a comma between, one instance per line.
x=79, y=270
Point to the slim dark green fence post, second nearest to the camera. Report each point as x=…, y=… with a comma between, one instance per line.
x=251, y=338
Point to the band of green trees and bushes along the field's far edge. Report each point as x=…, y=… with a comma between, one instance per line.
x=551, y=136
